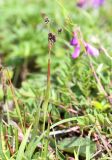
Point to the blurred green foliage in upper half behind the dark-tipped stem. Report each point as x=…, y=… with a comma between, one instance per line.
x=24, y=33
